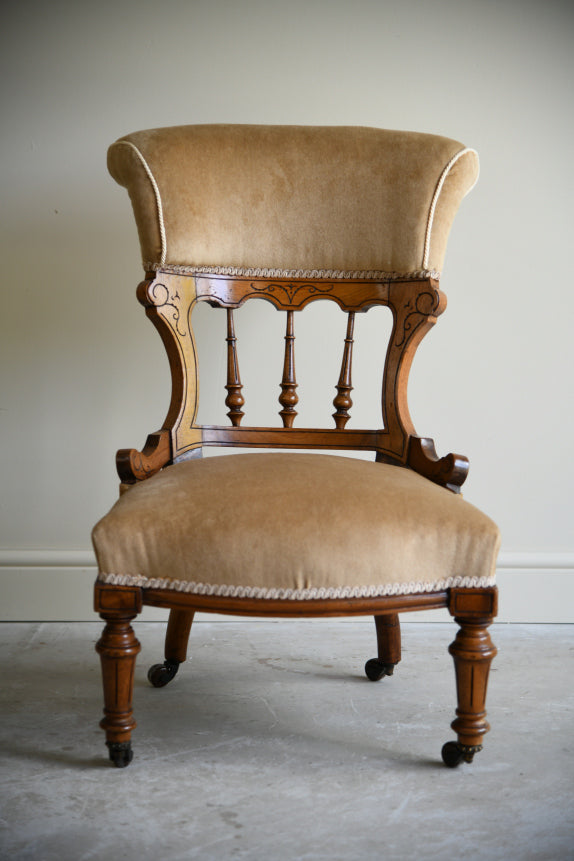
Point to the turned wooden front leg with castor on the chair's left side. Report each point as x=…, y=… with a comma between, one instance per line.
x=118, y=649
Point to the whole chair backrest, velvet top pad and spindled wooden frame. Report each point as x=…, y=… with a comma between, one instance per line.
x=292, y=214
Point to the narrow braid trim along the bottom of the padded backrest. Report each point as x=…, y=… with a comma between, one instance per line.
x=333, y=274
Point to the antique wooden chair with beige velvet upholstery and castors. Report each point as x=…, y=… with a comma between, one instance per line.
x=290, y=214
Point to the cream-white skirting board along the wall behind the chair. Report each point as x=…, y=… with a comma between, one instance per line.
x=57, y=585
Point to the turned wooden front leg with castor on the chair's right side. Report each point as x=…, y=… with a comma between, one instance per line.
x=472, y=651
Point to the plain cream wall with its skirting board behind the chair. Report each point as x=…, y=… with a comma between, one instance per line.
x=81, y=367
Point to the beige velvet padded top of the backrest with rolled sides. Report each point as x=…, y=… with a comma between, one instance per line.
x=293, y=198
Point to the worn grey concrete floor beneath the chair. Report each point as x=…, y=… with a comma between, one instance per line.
x=271, y=744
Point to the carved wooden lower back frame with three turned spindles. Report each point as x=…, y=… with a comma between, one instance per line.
x=169, y=300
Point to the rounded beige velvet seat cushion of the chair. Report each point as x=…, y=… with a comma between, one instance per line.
x=294, y=526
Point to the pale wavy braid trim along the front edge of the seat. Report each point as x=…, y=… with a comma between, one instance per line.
x=223, y=591
